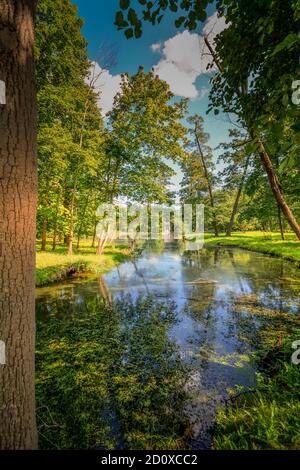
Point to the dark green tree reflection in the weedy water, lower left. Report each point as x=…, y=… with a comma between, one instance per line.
x=108, y=375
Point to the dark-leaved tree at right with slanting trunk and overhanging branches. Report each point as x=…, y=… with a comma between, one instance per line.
x=257, y=58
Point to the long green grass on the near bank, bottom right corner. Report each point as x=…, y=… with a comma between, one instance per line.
x=269, y=418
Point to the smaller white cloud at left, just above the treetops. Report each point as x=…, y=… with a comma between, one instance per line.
x=106, y=84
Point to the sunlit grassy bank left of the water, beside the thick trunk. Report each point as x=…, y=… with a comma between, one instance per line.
x=56, y=266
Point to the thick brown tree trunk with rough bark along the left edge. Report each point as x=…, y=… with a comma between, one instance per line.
x=18, y=190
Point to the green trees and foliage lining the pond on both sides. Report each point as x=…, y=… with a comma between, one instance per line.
x=85, y=159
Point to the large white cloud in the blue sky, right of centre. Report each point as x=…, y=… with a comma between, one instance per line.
x=186, y=57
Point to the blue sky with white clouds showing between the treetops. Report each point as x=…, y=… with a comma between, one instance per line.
x=99, y=30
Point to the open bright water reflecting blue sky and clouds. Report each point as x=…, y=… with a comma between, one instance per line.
x=228, y=302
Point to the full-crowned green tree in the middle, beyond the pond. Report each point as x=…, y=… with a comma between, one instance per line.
x=145, y=136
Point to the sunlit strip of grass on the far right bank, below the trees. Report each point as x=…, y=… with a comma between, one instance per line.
x=263, y=242
